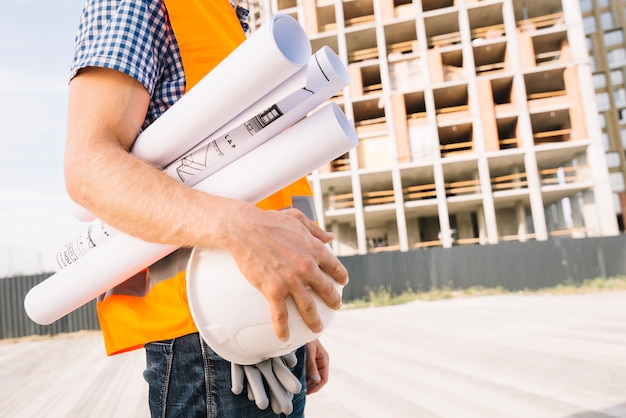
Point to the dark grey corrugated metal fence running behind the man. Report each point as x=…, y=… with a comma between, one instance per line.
x=511, y=265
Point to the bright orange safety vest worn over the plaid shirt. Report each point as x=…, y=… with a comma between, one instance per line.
x=206, y=32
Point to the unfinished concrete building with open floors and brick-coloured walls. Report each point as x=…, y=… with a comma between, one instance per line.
x=477, y=123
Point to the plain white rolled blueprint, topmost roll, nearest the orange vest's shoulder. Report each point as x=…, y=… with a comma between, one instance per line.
x=275, y=52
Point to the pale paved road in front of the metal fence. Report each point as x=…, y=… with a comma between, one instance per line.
x=494, y=356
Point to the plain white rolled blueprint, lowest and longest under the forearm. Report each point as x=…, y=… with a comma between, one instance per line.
x=304, y=147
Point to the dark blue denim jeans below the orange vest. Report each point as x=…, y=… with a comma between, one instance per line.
x=187, y=379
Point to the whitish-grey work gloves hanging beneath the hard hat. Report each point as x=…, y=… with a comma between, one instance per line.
x=282, y=383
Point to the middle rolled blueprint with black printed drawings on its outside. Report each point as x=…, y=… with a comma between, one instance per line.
x=323, y=77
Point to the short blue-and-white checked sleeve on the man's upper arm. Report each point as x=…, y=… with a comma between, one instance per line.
x=129, y=36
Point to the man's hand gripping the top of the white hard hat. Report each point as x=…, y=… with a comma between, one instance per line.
x=284, y=254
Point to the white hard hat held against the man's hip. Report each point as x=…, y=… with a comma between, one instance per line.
x=233, y=317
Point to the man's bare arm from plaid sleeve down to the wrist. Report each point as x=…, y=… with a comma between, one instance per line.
x=106, y=110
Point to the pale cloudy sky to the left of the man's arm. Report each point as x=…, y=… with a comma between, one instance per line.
x=36, y=49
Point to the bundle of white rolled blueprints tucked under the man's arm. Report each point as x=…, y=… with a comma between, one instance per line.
x=282, y=49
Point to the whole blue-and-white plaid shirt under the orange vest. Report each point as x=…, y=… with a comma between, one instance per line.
x=135, y=37
